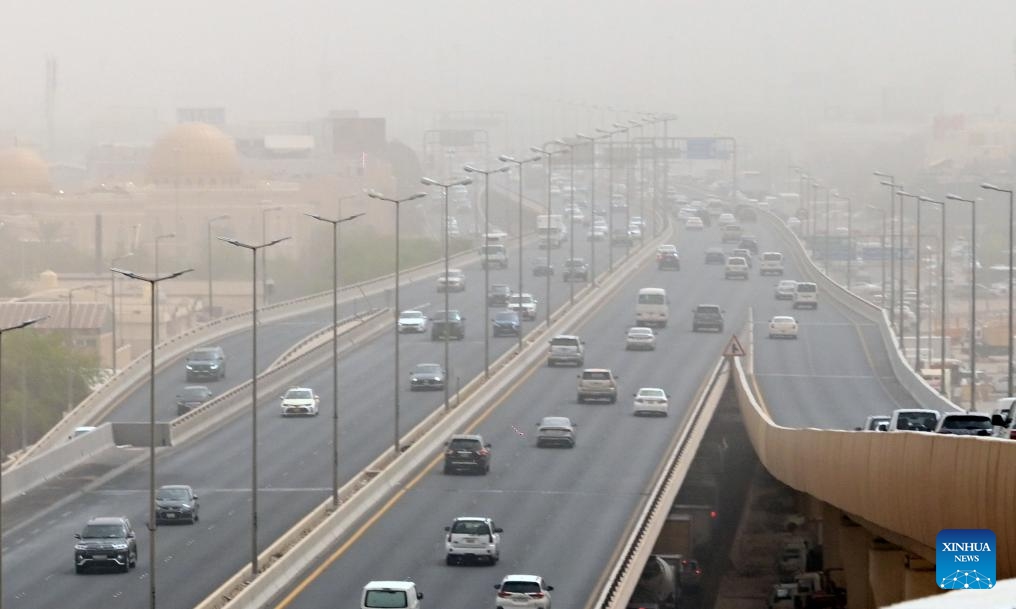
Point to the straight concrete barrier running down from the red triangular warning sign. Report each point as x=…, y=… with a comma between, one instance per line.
x=639, y=546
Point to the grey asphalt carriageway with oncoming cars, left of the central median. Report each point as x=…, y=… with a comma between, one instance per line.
x=295, y=464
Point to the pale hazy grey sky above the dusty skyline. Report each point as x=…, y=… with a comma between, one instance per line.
x=711, y=62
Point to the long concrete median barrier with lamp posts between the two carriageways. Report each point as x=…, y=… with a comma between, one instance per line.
x=294, y=551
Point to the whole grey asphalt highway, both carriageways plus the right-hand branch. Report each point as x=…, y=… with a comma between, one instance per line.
x=563, y=511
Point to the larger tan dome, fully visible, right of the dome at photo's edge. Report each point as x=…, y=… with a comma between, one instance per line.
x=197, y=155
